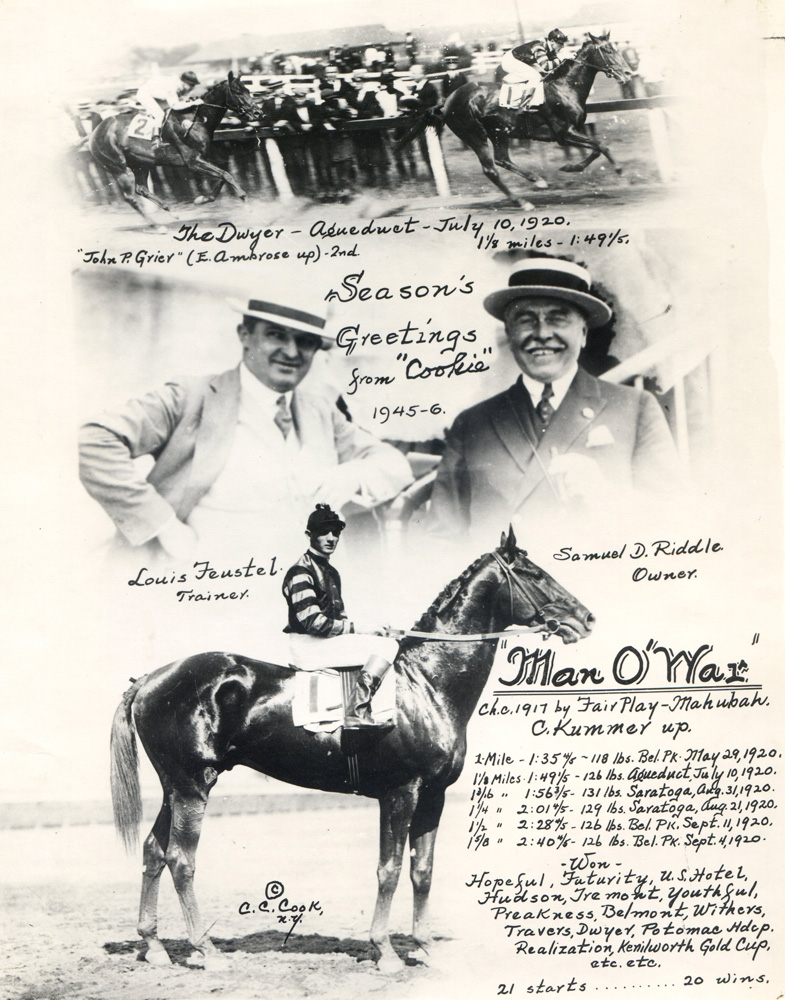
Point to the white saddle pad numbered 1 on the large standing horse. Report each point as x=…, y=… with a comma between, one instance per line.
x=317, y=704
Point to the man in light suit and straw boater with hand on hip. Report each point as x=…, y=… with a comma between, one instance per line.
x=236, y=454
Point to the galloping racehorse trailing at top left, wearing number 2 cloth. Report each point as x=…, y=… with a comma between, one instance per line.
x=128, y=158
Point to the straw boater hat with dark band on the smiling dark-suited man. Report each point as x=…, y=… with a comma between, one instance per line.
x=552, y=279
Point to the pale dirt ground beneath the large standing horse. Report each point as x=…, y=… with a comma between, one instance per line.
x=70, y=895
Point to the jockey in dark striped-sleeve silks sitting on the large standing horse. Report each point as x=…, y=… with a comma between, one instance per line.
x=320, y=634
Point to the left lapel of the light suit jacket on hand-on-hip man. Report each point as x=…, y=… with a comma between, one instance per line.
x=215, y=433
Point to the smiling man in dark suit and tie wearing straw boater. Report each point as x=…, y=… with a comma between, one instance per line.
x=558, y=439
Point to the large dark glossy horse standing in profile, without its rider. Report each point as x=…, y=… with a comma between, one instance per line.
x=203, y=715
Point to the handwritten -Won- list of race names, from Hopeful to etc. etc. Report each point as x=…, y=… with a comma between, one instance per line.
x=618, y=917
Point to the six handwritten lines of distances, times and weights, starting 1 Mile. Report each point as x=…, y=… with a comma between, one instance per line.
x=690, y=799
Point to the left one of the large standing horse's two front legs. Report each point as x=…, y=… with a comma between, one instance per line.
x=396, y=809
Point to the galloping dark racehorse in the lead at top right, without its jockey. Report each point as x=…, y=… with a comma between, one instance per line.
x=472, y=112
